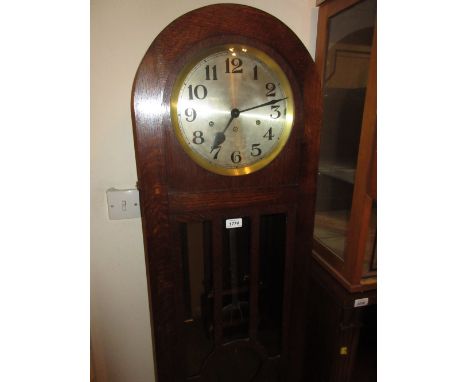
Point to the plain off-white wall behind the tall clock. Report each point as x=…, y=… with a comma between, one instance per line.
x=121, y=32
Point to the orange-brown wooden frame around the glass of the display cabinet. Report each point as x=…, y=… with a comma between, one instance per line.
x=349, y=270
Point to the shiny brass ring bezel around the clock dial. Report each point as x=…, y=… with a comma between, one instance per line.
x=286, y=86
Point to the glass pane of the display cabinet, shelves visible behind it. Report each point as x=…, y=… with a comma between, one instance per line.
x=350, y=35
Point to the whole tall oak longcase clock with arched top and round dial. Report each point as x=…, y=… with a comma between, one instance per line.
x=226, y=109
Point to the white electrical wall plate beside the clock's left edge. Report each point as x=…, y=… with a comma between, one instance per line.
x=123, y=204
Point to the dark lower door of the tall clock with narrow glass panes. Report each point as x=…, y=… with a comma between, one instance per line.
x=232, y=289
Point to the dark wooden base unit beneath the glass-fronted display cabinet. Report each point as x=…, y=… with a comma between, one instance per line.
x=333, y=323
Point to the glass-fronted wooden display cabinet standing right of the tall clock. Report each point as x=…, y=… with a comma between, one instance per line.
x=346, y=206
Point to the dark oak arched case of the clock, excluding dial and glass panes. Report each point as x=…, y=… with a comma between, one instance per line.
x=175, y=191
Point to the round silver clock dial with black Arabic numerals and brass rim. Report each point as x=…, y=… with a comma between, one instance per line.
x=233, y=110
